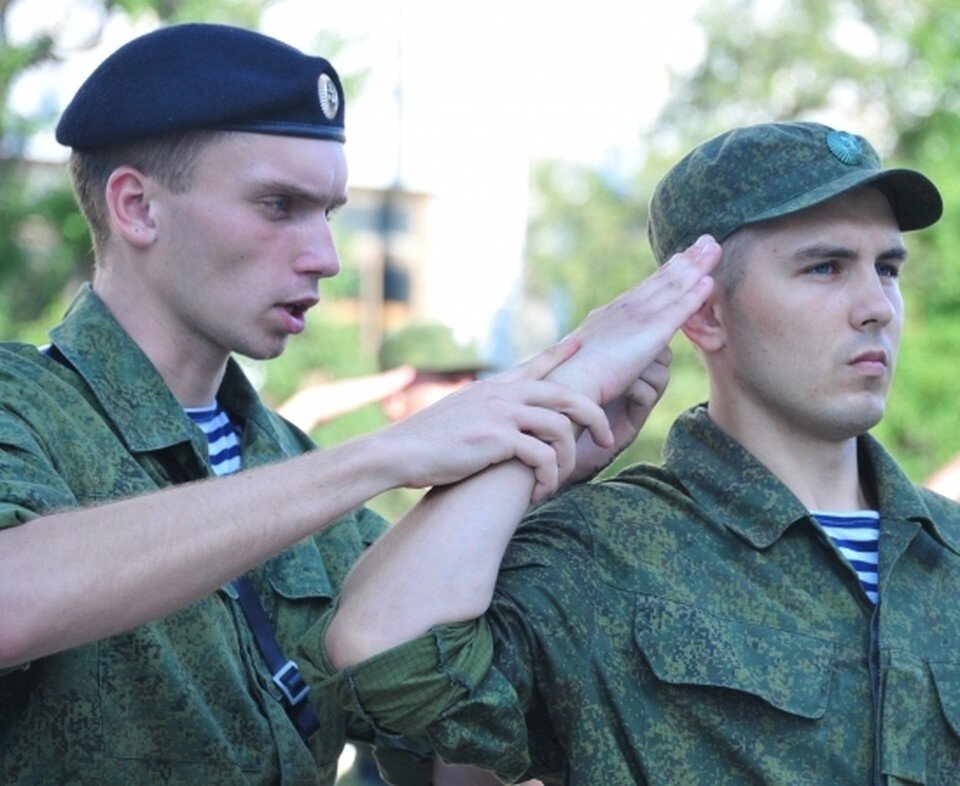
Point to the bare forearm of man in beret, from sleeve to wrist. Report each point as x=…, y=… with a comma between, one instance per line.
x=72, y=577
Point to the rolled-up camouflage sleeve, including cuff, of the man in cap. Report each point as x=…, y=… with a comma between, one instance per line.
x=477, y=687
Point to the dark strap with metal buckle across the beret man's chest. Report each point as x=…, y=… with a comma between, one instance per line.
x=284, y=672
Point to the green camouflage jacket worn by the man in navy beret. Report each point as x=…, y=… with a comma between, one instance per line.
x=186, y=699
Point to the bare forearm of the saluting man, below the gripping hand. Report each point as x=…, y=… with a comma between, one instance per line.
x=438, y=565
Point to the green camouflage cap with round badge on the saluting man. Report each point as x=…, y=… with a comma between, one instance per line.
x=760, y=172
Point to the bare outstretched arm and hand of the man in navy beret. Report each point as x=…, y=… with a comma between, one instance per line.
x=71, y=577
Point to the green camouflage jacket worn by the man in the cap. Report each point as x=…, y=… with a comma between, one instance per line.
x=691, y=624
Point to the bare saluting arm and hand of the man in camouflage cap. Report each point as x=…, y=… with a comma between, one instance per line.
x=438, y=565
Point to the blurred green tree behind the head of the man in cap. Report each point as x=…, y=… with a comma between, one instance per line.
x=884, y=68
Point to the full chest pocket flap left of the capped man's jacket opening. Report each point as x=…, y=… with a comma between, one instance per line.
x=685, y=646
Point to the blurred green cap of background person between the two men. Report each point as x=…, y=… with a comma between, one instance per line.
x=429, y=347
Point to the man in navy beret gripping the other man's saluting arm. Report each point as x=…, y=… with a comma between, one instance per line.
x=166, y=540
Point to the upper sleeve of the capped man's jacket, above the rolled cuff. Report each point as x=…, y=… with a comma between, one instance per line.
x=541, y=623
